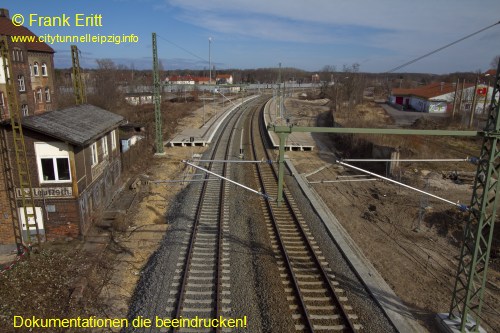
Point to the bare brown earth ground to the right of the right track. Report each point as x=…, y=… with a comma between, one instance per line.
x=413, y=240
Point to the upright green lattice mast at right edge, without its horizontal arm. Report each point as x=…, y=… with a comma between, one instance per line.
x=470, y=283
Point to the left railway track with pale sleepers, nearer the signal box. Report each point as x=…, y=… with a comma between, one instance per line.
x=201, y=286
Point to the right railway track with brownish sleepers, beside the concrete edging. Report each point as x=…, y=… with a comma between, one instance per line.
x=316, y=300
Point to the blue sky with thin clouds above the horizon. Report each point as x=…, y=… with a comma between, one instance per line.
x=379, y=35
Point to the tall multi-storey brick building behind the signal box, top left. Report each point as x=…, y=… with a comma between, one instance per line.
x=32, y=71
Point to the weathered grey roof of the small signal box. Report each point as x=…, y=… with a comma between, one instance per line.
x=79, y=125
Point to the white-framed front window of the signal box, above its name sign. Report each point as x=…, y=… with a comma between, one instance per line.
x=53, y=162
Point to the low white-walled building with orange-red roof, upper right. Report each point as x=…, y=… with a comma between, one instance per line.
x=437, y=97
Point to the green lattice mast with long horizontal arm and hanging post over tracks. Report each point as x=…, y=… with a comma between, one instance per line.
x=470, y=283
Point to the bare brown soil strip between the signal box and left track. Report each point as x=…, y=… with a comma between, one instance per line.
x=76, y=282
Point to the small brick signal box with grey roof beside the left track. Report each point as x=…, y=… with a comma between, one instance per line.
x=75, y=166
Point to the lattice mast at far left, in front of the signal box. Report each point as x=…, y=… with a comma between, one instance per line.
x=23, y=172
